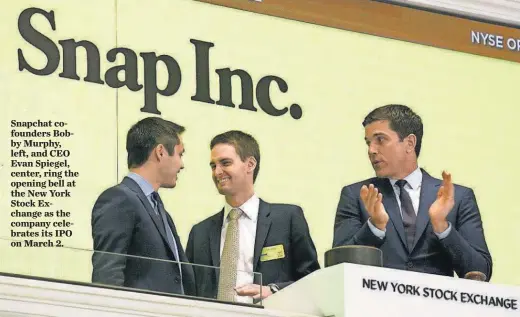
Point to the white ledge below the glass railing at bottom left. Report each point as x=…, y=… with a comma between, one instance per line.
x=27, y=297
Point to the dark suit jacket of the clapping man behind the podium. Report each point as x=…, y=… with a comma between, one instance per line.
x=462, y=251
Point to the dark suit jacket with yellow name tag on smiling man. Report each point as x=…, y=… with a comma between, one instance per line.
x=277, y=224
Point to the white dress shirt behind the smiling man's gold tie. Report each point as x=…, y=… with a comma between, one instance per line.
x=247, y=232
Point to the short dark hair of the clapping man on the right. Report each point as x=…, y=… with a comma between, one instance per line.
x=401, y=119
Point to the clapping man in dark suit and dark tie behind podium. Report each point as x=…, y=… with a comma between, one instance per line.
x=420, y=223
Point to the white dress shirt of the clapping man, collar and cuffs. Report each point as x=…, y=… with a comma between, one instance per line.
x=413, y=188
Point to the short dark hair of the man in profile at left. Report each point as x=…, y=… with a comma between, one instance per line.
x=146, y=134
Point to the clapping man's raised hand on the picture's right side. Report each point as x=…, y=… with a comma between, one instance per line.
x=444, y=203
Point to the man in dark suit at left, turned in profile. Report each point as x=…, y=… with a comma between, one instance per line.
x=132, y=232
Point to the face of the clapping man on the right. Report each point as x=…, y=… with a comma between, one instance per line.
x=386, y=152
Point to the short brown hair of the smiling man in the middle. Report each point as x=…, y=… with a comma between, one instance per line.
x=245, y=146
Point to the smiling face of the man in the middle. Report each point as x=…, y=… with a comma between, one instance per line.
x=230, y=174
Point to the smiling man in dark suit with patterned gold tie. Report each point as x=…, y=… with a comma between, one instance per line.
x=248, y=234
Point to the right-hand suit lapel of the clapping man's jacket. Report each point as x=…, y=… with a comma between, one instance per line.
x=429, y=188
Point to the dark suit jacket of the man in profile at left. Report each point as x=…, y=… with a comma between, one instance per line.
x=124, y=222
